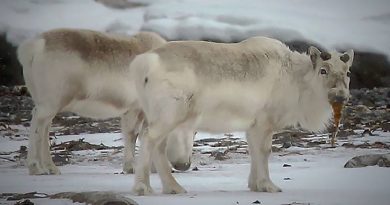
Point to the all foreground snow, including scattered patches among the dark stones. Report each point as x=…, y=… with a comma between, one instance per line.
x=316, y=176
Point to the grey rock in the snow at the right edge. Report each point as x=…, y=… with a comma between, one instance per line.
x=369, y=160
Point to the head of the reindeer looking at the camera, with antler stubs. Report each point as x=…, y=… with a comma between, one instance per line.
x=332, y=71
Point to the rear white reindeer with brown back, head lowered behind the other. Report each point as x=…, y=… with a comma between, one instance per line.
x=86, y=72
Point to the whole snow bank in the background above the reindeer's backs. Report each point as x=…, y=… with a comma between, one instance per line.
x=359, y=24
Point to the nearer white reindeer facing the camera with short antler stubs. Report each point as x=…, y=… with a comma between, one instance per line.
x=259, y=86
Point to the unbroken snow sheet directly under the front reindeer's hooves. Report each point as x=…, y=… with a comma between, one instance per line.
x=315, y=181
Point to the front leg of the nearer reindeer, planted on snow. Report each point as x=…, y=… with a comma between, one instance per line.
x=260, y=143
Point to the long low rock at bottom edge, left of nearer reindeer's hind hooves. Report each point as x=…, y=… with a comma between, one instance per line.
x=95, y=198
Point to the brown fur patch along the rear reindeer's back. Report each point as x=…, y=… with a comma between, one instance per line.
x=93, y=46
